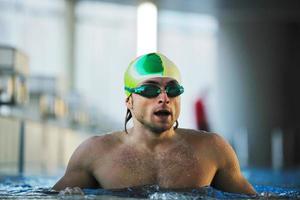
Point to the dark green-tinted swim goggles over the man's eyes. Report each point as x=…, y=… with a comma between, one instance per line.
x=151, y=91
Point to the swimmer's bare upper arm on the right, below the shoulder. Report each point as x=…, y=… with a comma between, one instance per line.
x=228, y=176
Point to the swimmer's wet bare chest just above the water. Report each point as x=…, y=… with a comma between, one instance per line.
x=175, y=167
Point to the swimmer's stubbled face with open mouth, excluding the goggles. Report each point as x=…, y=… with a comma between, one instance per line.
x=159, y=113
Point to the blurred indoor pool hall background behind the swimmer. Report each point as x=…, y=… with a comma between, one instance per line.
x=62, y=65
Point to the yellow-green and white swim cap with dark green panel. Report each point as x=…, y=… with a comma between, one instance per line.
x=149, y=66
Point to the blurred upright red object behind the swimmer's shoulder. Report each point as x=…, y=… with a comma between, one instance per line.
x=201, y=119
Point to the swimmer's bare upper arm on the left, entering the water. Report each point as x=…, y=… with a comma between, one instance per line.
x=79, y=172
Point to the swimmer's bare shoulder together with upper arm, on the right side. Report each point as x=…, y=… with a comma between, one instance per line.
x=216, y=150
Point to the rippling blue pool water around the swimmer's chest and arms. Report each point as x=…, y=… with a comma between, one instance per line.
x=268, y=183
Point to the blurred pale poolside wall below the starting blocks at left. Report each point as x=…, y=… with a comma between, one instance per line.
x=47, y=148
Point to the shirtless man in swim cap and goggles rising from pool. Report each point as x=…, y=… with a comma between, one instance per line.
x=154, y=151
